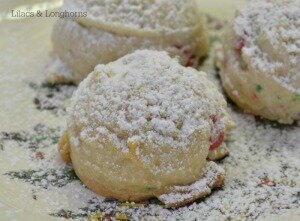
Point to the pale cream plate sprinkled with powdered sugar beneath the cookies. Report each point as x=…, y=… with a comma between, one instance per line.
x=262, y=169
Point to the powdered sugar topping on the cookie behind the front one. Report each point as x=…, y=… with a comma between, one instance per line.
x=156, y=16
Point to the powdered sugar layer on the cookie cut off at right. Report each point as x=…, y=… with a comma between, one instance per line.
x=270, y=32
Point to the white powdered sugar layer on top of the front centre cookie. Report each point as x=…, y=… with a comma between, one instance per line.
x=146, y=97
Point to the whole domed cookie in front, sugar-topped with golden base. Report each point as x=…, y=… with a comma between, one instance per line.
x=142, y=126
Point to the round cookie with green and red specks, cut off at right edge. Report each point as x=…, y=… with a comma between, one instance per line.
x=260, y=66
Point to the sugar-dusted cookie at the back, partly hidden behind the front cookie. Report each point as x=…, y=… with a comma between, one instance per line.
x=113, y=29
